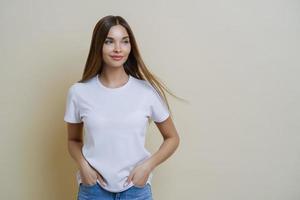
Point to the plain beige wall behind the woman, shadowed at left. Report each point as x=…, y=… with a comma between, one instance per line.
x=236, y=62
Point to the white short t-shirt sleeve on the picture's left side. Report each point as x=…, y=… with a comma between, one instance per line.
x=72, y=113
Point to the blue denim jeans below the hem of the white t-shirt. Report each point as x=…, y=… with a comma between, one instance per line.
x=96, y=192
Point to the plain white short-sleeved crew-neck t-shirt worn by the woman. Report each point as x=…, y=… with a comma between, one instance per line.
x=115, y=123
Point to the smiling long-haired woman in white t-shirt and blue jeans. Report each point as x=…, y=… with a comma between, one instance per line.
x=114, y=102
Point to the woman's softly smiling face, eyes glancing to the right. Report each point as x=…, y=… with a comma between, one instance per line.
x=116, y=44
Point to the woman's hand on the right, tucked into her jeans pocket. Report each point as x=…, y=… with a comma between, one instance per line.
x=139, y=175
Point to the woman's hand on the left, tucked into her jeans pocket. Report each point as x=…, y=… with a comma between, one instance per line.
x=89, y=175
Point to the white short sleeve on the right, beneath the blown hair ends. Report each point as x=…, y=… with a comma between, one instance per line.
x=159, y=109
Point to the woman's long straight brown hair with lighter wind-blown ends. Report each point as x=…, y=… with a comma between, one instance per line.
x=134, y=64
